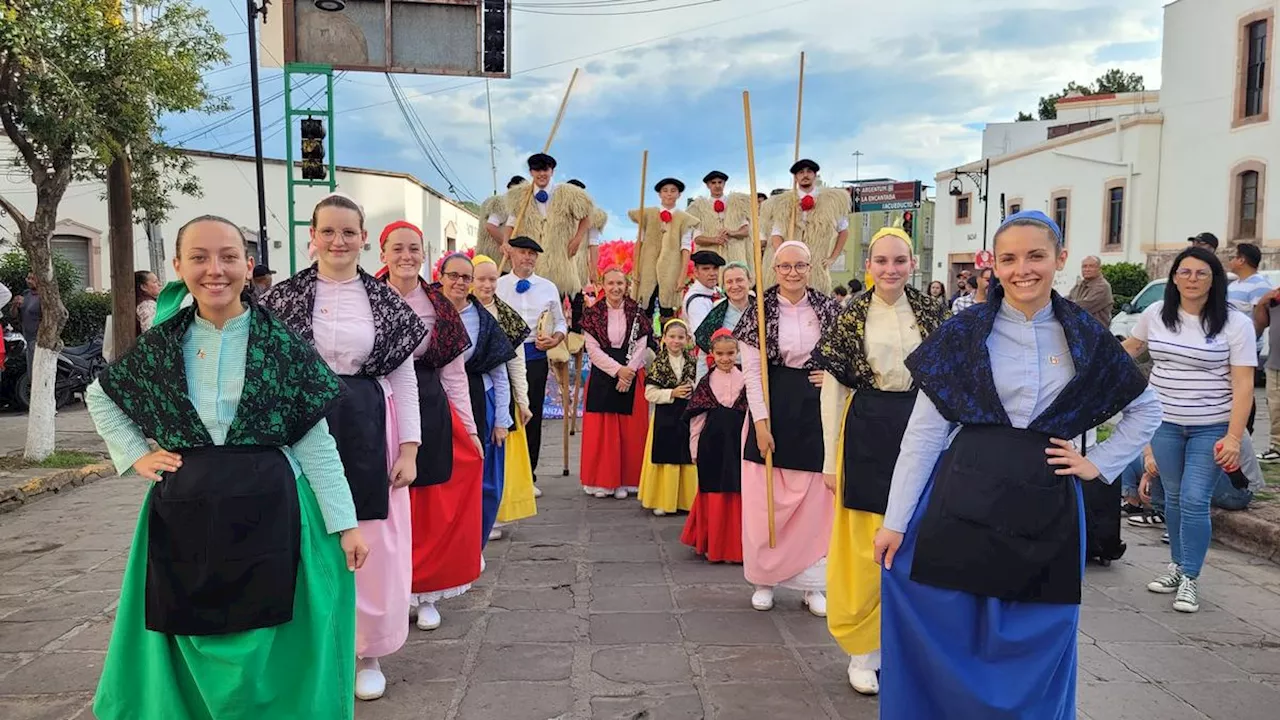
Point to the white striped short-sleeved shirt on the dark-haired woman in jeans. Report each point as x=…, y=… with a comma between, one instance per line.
x=1192, y=373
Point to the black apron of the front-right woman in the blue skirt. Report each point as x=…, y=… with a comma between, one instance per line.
x=1000, y=523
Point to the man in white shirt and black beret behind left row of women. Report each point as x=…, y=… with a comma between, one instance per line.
x=533, y=297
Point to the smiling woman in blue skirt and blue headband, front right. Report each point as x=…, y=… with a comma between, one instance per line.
x=982, y=546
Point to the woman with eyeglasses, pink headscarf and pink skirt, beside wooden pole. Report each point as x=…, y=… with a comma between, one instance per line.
x=788, y=426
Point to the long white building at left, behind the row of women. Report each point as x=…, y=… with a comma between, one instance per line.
x=230, y=190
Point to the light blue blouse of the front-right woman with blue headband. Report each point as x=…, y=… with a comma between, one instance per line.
x=1031, y=364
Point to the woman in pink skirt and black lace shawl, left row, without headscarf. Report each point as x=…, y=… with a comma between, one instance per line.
x=333, y=304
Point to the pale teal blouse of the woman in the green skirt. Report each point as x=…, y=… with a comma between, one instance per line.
x=216, y=380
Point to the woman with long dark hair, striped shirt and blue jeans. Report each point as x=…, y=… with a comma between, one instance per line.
x=1203, y=367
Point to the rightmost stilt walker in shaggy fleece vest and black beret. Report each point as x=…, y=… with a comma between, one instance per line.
x=821, y=222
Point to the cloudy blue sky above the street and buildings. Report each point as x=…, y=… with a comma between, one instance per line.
x=907, y=83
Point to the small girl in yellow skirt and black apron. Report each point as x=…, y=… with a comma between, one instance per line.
x=669, y=480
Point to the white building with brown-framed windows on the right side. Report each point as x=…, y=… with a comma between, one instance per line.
x=1132, y=176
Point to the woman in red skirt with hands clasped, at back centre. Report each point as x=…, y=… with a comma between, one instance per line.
x=616, y=421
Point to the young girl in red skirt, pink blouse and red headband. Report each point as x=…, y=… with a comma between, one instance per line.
x=717, y=412
